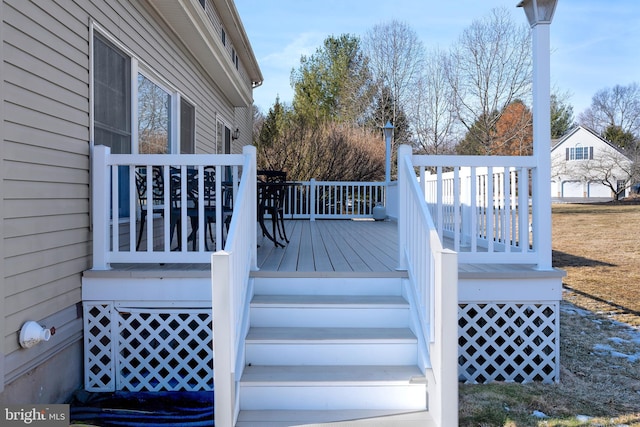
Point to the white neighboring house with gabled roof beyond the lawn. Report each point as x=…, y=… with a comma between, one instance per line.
x=585, y=165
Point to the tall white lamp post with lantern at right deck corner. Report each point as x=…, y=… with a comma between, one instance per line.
x=539, y=14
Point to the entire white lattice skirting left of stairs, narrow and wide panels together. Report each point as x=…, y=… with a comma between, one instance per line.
x=146, y=349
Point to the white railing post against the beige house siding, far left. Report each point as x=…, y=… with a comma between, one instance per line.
x=100, y=197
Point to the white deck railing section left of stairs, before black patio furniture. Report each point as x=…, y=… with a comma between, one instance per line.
x=117, y=208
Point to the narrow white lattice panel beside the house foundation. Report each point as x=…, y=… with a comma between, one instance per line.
x=98, y=348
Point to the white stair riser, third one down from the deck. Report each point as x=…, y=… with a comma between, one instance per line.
x=331, y=354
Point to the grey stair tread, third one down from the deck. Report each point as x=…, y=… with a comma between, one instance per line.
x=299, y=375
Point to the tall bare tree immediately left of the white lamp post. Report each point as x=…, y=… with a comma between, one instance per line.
x=488, y=69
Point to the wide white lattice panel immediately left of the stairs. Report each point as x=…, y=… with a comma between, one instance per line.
x=160, y=349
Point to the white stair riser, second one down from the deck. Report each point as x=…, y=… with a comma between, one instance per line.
x=329, y=317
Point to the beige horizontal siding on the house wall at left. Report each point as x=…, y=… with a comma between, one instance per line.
x=45, y=186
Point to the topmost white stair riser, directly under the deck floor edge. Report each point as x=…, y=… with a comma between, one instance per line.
x=327, y=286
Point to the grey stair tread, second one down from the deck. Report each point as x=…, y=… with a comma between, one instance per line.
x=302, y=334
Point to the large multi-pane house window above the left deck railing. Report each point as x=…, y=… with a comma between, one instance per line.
x=158, y=107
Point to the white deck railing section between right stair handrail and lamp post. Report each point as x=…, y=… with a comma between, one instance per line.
x=481, y=206
